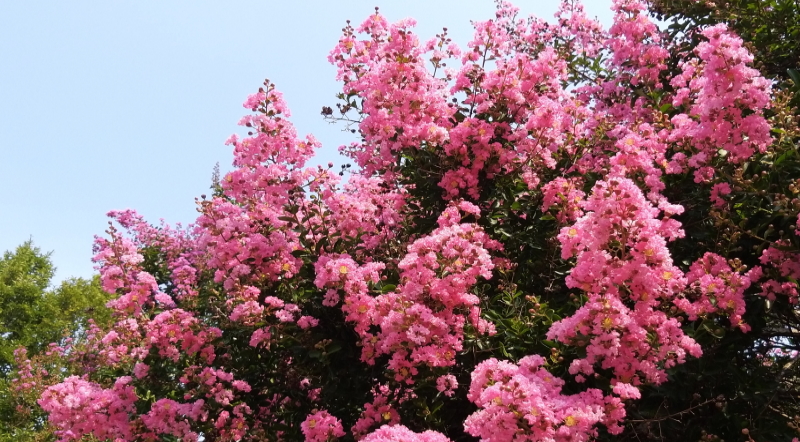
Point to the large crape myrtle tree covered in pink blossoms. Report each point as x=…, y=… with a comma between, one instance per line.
x=555, y=233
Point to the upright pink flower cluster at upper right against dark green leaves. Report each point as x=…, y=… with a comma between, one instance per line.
x=725, y=101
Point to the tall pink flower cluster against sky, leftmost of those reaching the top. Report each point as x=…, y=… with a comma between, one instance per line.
x=403, y=104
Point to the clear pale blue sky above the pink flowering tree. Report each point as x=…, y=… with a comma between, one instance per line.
x=126, y=104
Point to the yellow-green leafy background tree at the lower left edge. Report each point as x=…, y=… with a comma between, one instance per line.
x=32, y=316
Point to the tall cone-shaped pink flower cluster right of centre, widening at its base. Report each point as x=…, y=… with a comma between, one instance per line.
x=620, y=245
